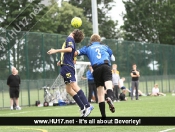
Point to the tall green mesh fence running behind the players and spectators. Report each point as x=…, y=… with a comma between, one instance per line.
x=27, y=52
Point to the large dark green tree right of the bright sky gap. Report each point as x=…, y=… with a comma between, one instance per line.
x=151, y=21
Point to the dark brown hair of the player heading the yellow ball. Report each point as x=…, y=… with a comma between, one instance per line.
x=78, y=35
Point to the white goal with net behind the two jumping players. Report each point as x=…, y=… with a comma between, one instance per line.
x=59, y=87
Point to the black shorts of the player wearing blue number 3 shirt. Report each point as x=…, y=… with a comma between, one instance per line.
x=102, y=73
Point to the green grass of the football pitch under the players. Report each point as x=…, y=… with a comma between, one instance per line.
x=146, y=106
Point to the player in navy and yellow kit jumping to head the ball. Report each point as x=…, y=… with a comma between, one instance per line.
x=68, y=71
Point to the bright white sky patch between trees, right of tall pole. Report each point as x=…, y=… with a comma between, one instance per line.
x=117, y=11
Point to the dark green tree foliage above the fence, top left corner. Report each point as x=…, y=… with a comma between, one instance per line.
x=21, y=15
